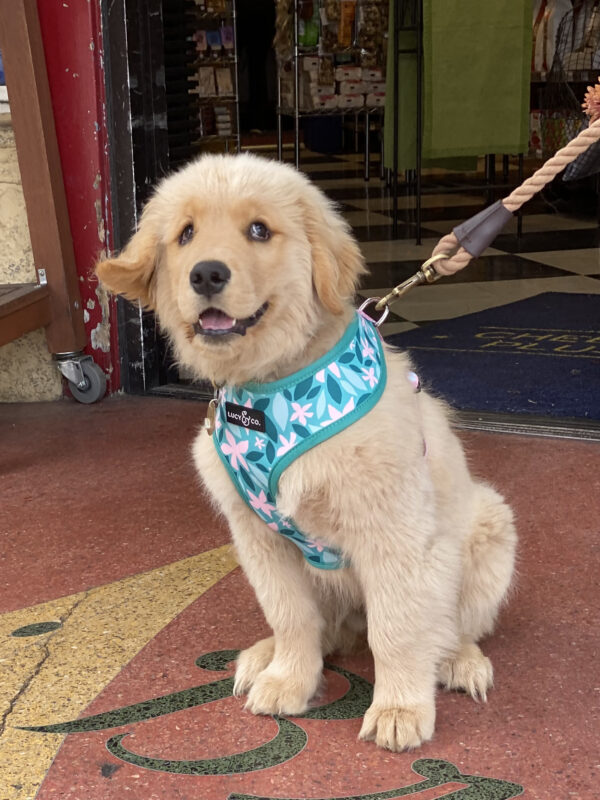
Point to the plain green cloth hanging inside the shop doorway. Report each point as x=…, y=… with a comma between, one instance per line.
x=477, y=62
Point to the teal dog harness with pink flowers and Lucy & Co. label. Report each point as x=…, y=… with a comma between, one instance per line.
x=261, y=428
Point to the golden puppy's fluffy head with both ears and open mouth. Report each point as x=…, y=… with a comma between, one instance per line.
x=242, y=259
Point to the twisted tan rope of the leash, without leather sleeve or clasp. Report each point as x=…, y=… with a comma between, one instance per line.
x=460, y=258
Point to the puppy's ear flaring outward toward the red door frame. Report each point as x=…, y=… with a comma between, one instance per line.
x=131, y=274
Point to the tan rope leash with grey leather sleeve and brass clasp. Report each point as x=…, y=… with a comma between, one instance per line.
x=468, y=241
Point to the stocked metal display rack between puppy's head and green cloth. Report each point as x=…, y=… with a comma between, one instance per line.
x=294, y=67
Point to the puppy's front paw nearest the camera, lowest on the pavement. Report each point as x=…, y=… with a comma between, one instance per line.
x=398, y=728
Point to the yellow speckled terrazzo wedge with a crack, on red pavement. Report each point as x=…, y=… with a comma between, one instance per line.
x=55, y=676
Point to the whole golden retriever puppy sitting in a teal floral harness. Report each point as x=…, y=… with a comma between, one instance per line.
x=252, y=274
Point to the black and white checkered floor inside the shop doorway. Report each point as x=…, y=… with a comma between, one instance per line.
x=556, y=253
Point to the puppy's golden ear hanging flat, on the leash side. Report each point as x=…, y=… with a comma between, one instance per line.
x=337, y=260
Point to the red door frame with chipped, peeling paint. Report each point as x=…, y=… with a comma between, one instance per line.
x=72, y=37
